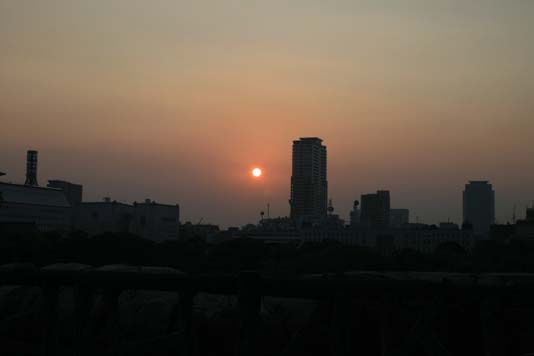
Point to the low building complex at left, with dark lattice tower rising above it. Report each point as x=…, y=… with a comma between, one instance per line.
x=59, y=207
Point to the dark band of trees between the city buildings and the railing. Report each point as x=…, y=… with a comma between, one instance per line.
x=196, y=256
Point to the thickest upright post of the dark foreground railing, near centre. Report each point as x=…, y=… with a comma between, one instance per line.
x=249, y=297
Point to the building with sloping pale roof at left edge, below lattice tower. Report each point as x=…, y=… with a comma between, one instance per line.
x=46, y=208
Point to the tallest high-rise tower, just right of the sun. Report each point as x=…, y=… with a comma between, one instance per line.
x=309, y=187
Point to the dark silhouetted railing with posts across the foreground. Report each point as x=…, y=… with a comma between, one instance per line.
x=487, y=290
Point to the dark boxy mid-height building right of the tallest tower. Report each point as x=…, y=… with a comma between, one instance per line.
x=375, y=209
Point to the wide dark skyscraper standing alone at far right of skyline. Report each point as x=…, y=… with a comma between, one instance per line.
x=479, y=206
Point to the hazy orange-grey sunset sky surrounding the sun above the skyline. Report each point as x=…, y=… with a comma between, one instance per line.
x=176, y=100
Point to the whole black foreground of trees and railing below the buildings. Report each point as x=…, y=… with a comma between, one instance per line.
x=75, y=295
